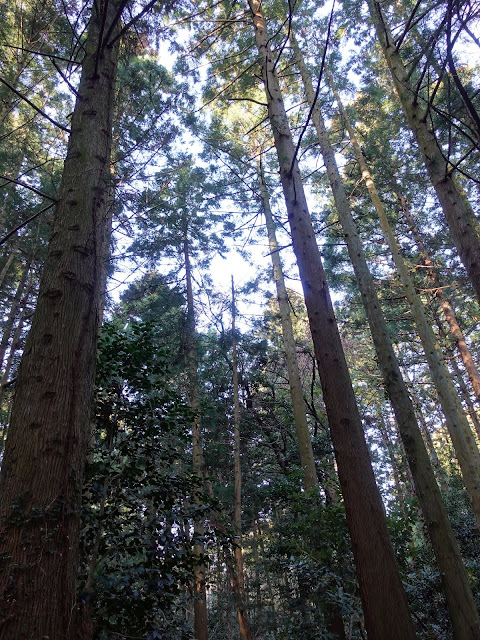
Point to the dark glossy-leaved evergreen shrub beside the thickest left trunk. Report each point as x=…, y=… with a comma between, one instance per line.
x=136, y=542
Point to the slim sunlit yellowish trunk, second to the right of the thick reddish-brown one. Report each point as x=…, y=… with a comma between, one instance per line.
x=456, y=421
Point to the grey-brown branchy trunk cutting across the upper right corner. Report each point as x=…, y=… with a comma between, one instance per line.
x=459, y=214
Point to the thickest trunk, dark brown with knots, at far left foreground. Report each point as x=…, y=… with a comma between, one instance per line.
x=41, y=478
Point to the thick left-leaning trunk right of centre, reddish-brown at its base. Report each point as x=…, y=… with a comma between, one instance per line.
x=384, y=602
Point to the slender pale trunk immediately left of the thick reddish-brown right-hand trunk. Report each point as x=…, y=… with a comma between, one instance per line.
x=307, y=459
